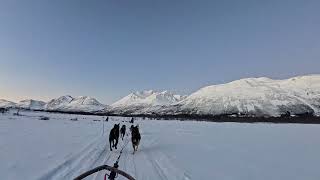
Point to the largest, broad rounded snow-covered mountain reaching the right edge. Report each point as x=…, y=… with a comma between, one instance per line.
x=253, y=96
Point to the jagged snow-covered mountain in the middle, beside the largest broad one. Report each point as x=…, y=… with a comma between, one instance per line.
x=137, y=102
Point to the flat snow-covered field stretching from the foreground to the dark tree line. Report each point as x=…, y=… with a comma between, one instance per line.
x=62, y=149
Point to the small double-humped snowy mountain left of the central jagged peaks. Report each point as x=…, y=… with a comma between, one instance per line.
x=78, y=104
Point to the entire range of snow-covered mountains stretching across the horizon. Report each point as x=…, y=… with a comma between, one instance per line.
x=249, y=96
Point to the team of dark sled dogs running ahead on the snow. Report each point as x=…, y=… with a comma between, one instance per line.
x=116, y=132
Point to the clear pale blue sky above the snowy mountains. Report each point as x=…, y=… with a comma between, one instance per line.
x=107, y=49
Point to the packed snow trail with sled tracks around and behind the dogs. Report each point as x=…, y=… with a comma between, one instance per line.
x=147, y=163
